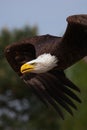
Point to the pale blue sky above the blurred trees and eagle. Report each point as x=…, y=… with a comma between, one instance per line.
x=49, y=15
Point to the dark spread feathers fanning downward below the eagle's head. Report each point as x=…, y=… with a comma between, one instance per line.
x=50, y=89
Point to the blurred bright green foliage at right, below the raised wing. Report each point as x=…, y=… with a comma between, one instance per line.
x=78, y=74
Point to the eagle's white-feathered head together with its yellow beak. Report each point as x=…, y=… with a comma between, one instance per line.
x=41, y=64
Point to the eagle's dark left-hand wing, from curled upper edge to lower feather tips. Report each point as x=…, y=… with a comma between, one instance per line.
x=52, y=87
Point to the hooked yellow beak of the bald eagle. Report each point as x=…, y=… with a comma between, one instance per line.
x=26, y=68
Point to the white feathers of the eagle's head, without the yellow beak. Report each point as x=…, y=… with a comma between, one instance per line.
x=44, y=63
